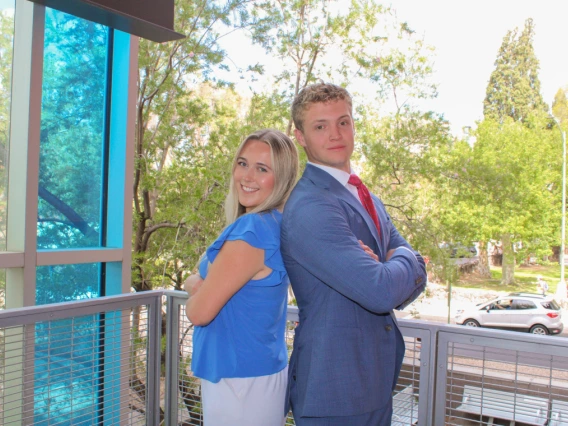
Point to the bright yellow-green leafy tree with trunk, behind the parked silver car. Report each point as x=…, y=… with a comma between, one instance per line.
x=507, y=188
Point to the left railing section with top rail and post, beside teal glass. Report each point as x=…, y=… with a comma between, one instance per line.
x=82, y=363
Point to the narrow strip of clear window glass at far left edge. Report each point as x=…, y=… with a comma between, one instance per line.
x=6, y=50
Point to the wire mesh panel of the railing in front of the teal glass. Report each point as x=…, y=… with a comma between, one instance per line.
x=81, y=370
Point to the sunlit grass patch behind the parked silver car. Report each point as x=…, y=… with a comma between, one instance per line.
x=525, y=279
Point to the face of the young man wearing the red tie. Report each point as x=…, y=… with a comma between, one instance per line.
x=328, y=135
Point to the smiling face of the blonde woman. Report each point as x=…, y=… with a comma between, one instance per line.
x=254, y=176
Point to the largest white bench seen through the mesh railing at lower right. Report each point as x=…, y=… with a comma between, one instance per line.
x=504, y=405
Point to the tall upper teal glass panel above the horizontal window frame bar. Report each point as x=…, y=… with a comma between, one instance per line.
x=72, y=140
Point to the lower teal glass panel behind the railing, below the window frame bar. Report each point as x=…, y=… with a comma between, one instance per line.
x=68, y=387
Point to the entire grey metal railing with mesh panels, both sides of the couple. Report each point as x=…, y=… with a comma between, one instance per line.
x=109, y=361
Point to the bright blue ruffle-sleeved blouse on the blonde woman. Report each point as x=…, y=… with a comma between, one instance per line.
x=246, y=338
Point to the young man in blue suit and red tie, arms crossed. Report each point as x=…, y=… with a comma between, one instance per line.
x=348, y=349
